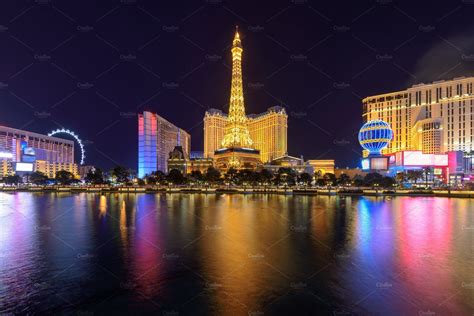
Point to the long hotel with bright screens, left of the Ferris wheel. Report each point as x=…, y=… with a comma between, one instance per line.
x=24, y=151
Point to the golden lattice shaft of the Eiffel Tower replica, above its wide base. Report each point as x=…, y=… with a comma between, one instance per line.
x=236, y=133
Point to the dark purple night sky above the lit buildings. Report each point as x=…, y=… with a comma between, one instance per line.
x=92, y=67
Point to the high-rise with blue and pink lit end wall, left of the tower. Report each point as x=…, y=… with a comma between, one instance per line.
x=156, y=139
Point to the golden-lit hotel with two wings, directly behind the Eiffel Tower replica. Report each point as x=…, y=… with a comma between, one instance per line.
x=268, y=132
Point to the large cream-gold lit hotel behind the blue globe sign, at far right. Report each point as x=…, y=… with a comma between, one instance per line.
x=434, y=118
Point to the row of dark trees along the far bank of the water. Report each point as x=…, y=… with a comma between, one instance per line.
x=283, y=176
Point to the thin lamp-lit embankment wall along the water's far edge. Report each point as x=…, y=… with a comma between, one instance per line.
x=247, y=190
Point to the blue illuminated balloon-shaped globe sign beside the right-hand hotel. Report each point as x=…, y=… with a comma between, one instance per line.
x=374, y=136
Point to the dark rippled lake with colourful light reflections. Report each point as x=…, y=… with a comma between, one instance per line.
x=235, y=254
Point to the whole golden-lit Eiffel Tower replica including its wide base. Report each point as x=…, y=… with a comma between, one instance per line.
x=237, y=147
